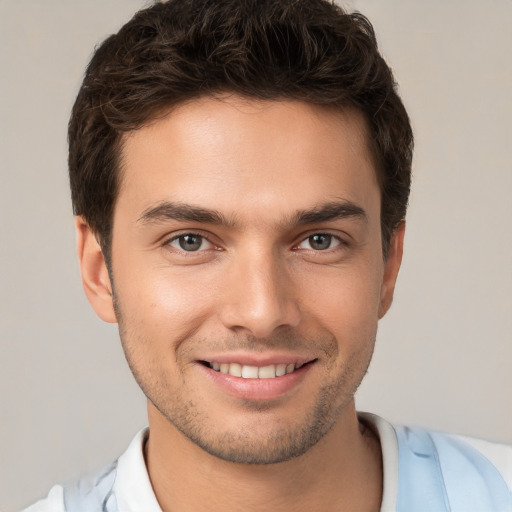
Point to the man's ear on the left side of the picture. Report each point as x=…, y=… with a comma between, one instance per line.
x=95, y=278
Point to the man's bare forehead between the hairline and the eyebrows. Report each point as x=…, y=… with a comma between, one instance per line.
x=235, y=154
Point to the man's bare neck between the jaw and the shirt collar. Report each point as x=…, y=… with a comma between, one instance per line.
x=343, y=471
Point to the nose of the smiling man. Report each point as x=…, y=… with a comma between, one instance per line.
x=258, y=296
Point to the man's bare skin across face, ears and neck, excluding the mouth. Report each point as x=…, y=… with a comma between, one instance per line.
x=258, y=287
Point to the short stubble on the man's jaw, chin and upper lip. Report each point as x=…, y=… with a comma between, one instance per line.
x=254, y=443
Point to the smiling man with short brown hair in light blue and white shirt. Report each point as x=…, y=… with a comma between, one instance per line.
x=240, y=171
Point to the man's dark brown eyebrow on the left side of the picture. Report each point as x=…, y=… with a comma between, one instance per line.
x=183, y=212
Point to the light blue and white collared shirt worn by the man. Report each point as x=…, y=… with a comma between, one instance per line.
x=424, y=471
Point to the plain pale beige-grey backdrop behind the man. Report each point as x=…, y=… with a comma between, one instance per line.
x=444, y=352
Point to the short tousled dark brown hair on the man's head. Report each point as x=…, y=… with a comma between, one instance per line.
x=308, y=50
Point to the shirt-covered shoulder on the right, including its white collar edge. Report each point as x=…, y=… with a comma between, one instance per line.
x=425, y=470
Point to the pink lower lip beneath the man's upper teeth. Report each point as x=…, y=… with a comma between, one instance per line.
x=257, y=389
